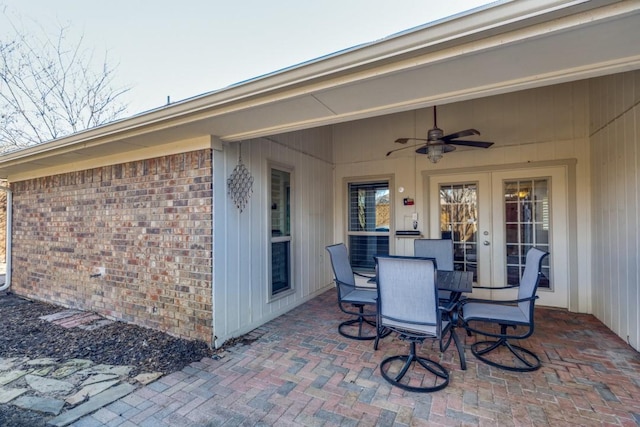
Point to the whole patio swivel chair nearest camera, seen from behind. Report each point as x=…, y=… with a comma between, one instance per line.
x=408, y=305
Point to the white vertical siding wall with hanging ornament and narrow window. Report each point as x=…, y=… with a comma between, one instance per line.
x=242, y=239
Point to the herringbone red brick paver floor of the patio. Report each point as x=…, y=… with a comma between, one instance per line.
x=300, y=371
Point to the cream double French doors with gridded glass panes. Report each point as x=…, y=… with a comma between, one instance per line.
x=495, y=217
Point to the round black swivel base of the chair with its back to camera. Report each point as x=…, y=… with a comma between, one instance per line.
x=440, y=374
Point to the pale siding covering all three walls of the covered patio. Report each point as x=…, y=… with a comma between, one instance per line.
x=594, y=122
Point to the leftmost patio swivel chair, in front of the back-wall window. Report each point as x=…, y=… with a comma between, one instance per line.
x=363, y=326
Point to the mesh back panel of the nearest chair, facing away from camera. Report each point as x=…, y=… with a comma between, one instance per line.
x=407, y=295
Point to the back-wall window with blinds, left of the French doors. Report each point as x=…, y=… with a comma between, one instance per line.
x=369, y=220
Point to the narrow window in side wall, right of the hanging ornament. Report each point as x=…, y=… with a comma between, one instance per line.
x=280, y=210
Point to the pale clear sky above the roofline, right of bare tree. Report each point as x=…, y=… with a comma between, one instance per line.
x=183, y=48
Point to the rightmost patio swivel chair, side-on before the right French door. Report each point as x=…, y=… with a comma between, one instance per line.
x=479, y=314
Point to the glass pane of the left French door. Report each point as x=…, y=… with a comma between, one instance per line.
x=459, y=221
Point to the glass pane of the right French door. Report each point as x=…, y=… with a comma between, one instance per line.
x=526, y=225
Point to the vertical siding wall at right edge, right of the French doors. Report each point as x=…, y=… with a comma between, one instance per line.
x=615, y=147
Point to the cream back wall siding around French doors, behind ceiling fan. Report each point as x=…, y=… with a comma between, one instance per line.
x=537, y=125
